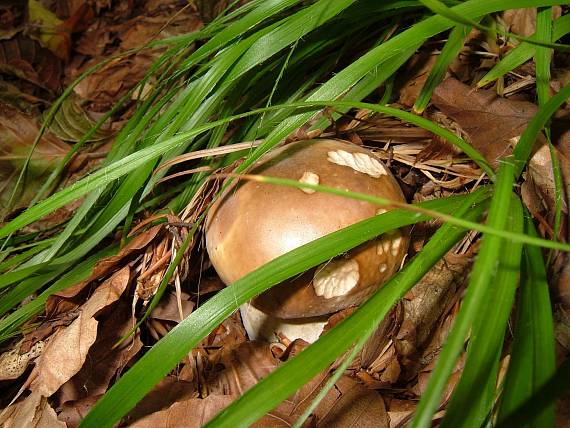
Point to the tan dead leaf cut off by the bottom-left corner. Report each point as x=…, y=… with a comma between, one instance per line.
x=32, y=412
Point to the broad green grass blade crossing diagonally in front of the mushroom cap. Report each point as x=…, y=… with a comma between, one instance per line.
x=166, y=353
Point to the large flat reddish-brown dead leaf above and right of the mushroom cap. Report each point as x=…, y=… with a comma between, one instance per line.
x=489, y=122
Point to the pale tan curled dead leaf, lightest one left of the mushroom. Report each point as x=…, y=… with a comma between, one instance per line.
x=66, y=351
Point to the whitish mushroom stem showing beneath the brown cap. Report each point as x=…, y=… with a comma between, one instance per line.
x=260, y=326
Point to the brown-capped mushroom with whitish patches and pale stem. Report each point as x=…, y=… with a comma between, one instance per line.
x=252, y=223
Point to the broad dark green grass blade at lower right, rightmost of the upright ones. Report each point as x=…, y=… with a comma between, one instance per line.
x=532, y=356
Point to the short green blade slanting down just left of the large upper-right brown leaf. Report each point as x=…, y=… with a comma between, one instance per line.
x=446, y=57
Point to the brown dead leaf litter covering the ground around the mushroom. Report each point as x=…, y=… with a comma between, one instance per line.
x=74, y=354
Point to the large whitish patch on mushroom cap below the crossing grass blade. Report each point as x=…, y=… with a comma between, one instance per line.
x=336, y=278
